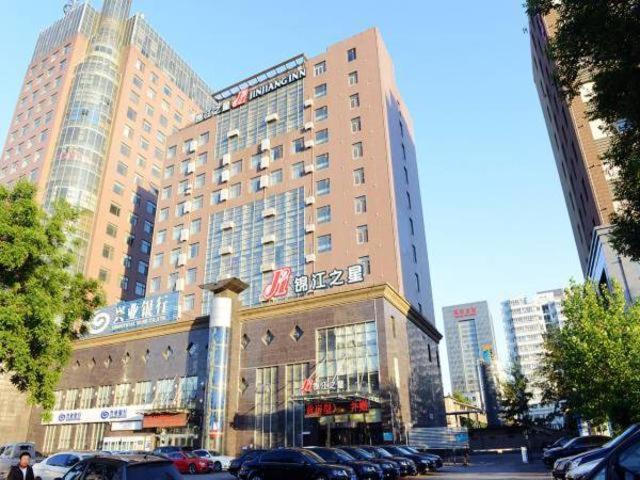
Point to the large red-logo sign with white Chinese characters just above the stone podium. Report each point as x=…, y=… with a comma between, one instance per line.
x=283, y=279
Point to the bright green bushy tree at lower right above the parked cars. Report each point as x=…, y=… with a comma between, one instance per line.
x=592, y=364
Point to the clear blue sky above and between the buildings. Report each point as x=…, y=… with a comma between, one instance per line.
x=496, y=221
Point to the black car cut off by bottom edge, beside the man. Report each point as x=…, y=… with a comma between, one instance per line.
x=116, y=467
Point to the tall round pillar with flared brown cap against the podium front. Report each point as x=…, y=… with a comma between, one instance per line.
x=222, y=310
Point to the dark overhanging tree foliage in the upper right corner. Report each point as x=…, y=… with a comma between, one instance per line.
x=602, y=39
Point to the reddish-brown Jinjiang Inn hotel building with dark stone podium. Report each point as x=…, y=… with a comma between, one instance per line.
x=288, y=298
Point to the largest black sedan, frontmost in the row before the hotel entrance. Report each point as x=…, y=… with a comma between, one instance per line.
x=293, y=464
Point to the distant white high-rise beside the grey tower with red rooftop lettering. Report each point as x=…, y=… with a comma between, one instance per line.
x=526, y=322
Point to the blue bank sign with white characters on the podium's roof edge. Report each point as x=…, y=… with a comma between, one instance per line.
x=144, y=312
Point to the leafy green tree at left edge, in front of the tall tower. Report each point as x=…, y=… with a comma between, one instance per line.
x=43, y=304
